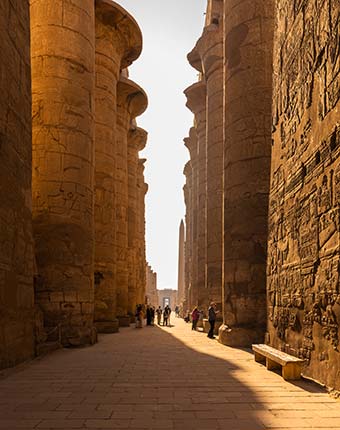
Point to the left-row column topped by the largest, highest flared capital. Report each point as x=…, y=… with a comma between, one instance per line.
x=118, y=44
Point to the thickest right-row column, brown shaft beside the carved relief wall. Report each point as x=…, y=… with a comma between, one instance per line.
x=248, y=94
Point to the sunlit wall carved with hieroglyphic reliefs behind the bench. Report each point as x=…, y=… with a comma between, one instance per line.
x=303, y=249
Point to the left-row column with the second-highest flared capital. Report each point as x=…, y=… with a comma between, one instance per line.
x=132, y=102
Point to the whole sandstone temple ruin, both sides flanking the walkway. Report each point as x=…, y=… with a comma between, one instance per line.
x=262, y=191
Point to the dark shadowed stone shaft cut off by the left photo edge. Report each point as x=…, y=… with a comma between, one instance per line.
x=16, y=241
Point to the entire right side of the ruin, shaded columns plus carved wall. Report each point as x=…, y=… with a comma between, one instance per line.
x=261, y=192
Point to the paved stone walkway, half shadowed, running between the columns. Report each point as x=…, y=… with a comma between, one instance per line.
x=159, y=378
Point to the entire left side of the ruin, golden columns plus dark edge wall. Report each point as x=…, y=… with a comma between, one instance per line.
x=72, y=259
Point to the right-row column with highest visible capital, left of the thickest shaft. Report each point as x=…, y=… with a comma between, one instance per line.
x=207, y=57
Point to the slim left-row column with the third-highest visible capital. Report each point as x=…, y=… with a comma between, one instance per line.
x=136, y=142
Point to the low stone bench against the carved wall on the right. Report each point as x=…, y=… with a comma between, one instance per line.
x=275, y=359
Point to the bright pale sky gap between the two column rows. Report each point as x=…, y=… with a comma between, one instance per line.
x=170, y=30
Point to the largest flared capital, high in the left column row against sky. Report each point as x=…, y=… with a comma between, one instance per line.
x=112, y=14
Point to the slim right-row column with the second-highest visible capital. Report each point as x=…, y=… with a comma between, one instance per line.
x=196, y=96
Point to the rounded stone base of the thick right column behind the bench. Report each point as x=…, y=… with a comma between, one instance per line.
x=239, y=336
